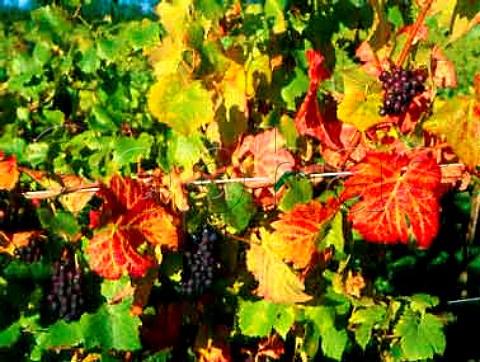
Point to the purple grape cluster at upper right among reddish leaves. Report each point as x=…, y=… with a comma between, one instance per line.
x=400, y=86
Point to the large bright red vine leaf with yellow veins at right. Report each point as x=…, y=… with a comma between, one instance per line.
x=398, y=198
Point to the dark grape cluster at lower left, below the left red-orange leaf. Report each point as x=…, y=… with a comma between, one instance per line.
x=65, y=299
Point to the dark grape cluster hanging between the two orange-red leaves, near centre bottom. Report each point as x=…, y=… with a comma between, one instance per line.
x=199, y=263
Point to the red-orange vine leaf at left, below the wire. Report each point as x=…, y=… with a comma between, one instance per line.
x=132, y=217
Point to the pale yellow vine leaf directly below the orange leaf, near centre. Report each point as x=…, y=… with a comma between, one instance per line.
x=276, y=281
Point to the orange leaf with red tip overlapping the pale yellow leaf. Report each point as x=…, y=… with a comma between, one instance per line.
x=295, y=232
